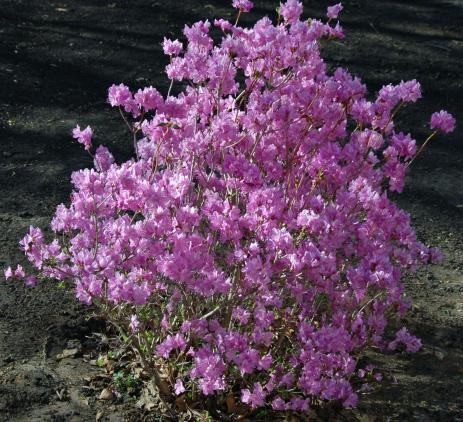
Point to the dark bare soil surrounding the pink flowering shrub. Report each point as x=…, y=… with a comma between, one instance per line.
x=57, y=59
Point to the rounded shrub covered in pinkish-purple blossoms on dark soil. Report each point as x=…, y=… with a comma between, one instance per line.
x=249, y=250
